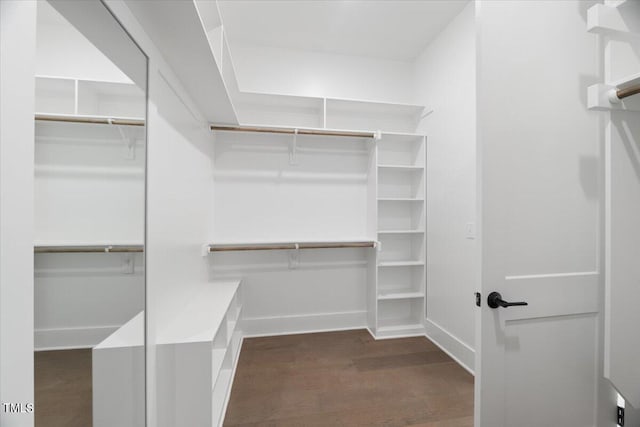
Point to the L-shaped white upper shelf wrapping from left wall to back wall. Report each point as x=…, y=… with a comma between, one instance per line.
x=202, y=60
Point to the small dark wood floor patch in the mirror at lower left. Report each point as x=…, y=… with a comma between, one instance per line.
x=63, y=388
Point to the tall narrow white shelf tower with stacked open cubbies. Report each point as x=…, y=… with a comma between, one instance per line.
x=400, y=278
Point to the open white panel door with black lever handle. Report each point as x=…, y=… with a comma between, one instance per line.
x=538, y=365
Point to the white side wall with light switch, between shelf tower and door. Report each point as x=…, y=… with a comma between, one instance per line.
x=445, y=81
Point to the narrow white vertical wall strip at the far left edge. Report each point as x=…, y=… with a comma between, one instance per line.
x=17, y=64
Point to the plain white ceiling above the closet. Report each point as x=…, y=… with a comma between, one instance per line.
x=387, y=29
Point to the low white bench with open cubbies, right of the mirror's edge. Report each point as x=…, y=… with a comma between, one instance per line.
x=199, y=353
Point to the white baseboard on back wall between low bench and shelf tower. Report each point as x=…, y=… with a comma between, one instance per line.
x=287, y=325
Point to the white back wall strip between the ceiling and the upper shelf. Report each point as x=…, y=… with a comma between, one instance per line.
x=298, y=72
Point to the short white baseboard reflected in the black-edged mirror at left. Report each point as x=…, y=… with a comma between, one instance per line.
x=70, y=338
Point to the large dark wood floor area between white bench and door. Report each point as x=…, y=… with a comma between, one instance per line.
x=348, y=379
